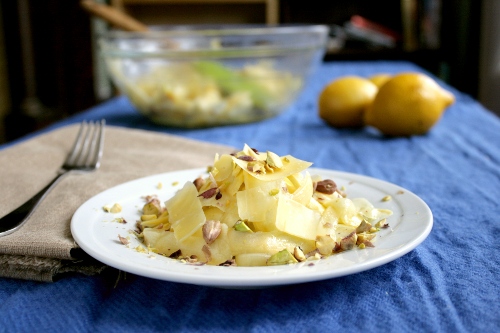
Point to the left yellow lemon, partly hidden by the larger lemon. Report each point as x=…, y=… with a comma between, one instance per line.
x=342, y=103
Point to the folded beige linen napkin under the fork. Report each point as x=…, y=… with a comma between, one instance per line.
x=43, y=248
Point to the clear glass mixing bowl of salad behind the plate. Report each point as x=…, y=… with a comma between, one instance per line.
x=202, y=76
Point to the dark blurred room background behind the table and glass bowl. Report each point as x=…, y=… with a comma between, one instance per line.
x=50, y=69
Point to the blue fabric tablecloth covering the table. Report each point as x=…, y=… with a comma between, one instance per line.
x=450, y=283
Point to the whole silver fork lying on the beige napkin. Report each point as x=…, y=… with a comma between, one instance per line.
x=85, y=156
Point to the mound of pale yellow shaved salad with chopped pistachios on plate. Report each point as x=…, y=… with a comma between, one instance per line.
x=256, y=209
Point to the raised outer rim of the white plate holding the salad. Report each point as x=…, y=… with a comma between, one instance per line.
x=242, y=281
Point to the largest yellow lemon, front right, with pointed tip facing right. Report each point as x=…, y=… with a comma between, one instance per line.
x=408, y=104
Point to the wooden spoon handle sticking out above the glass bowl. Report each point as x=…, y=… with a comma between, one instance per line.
x=113, y=16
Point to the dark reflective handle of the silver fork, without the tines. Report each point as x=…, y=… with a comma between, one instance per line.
x=15, y=219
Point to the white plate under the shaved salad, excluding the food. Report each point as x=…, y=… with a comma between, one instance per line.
x=96, y=232
